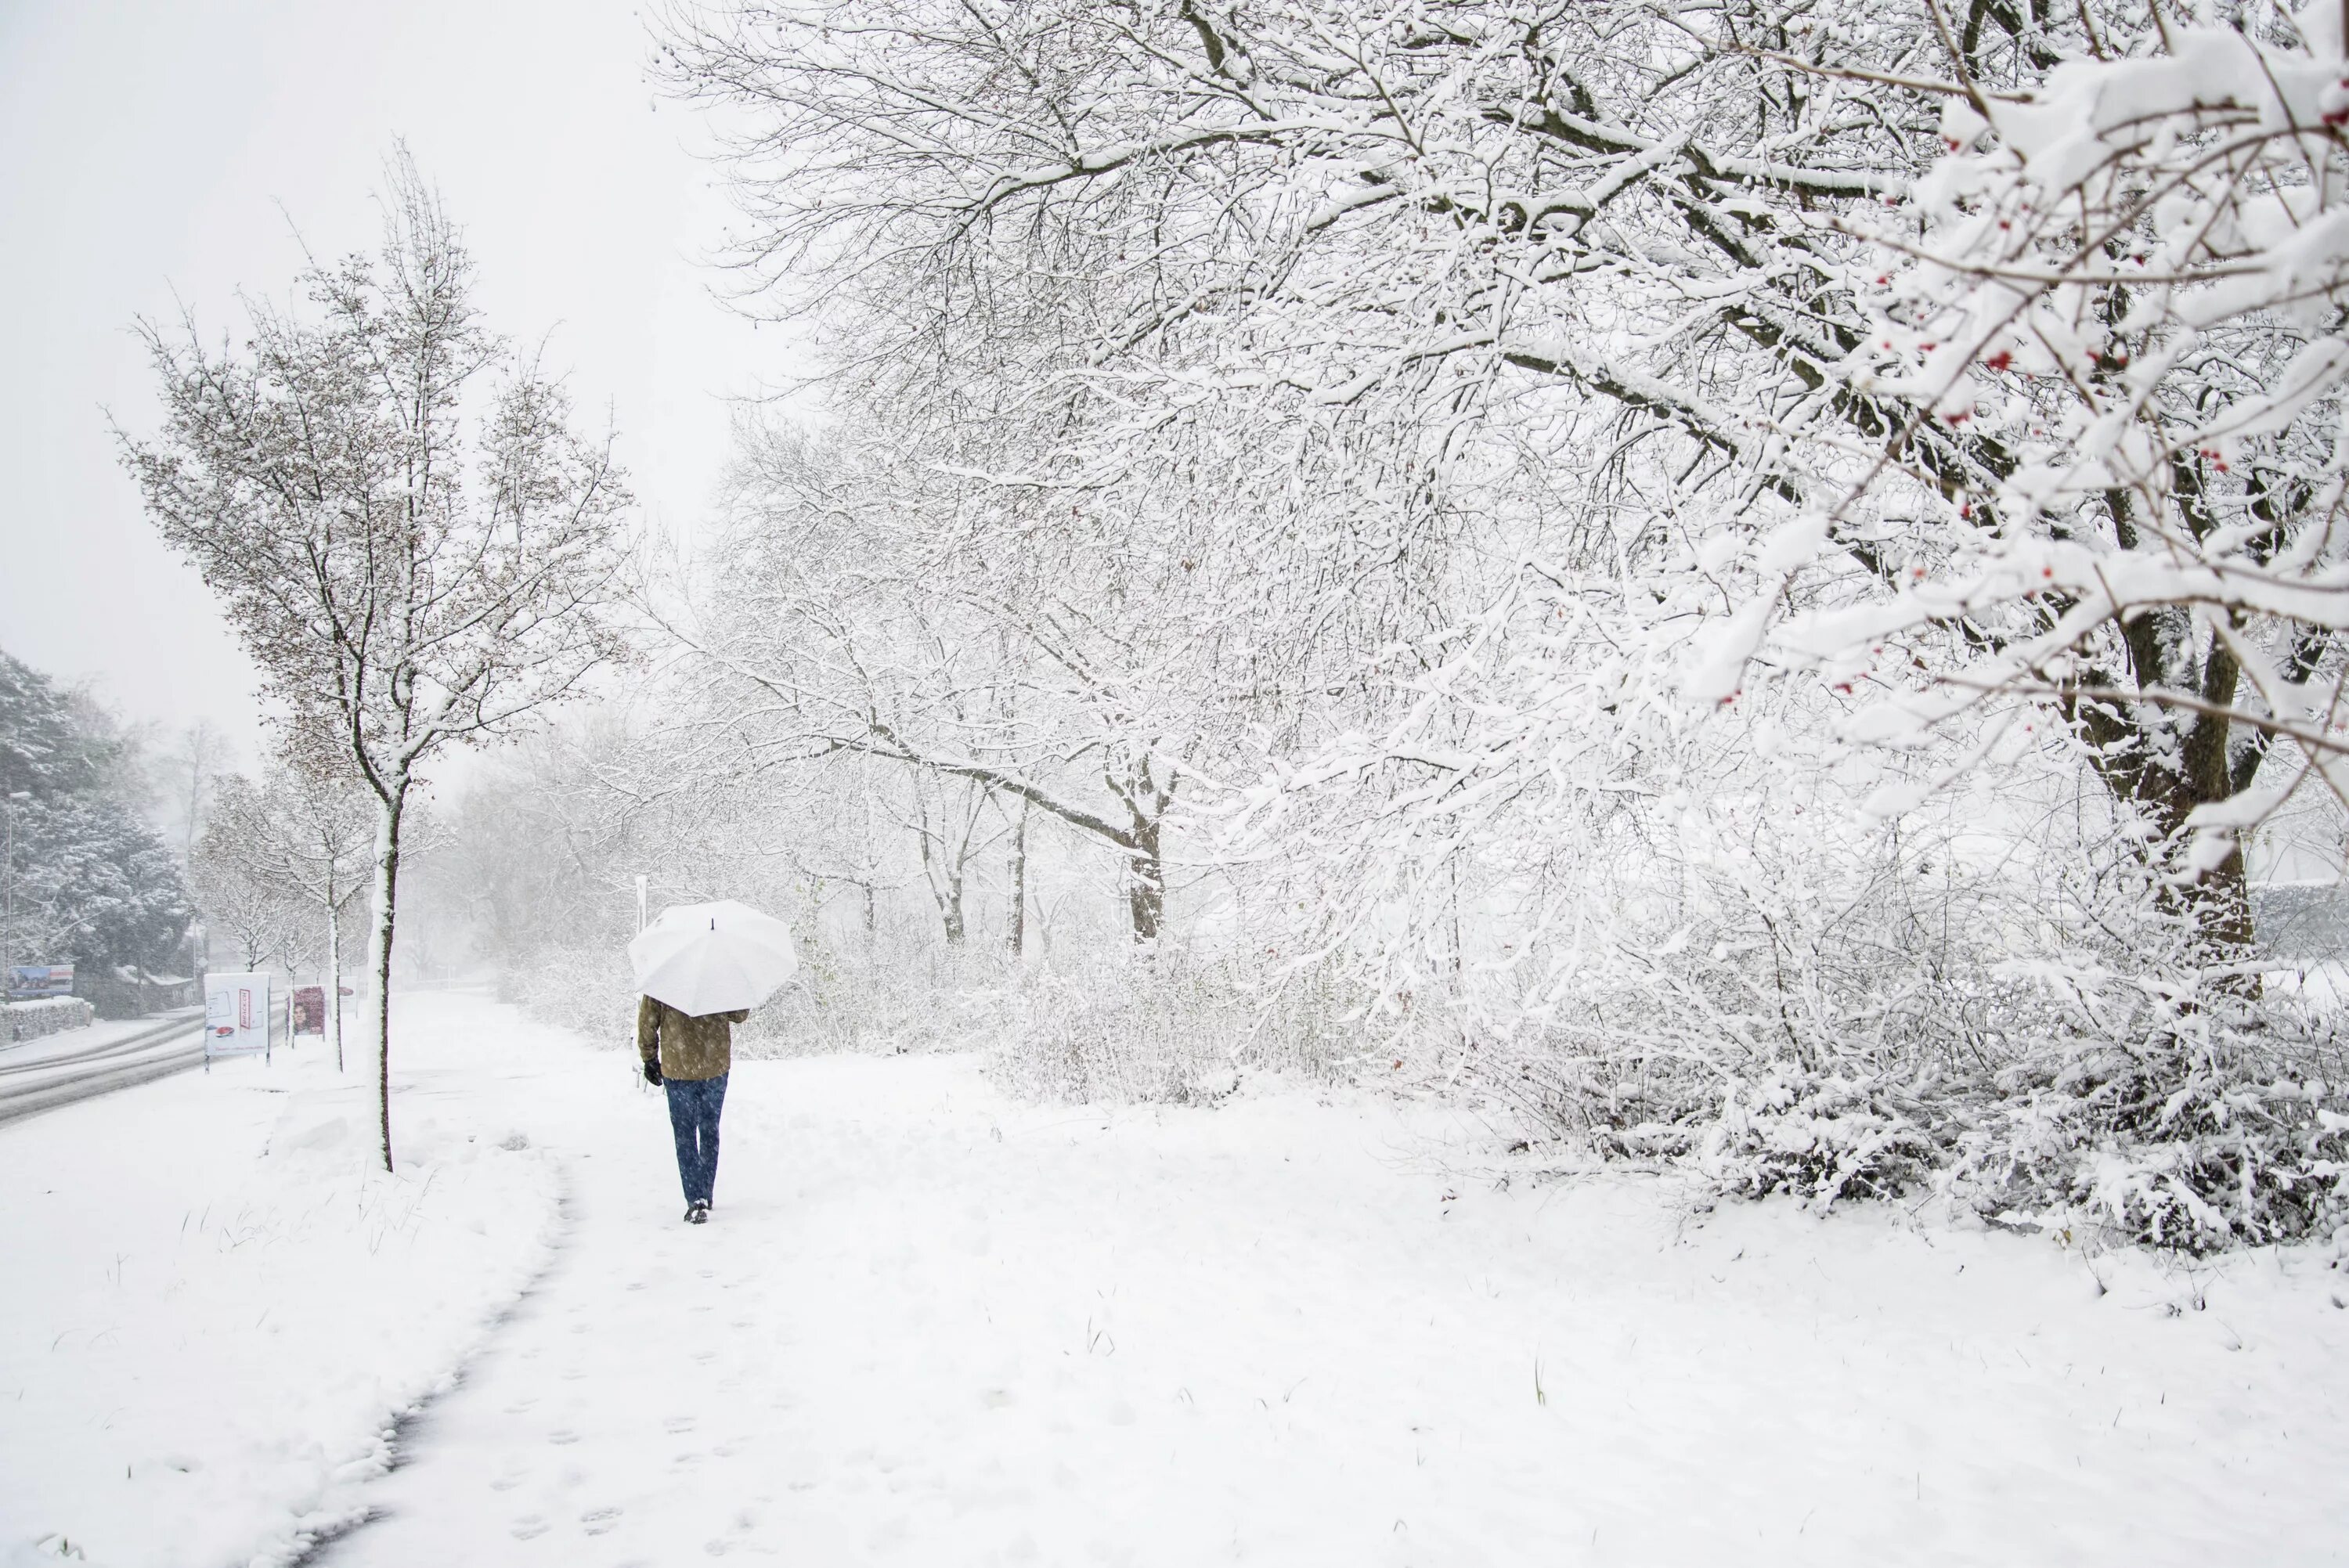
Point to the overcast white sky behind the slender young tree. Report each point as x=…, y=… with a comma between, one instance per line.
x=159, y=151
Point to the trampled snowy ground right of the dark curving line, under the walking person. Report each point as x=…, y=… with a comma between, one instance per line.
x=931, y=1327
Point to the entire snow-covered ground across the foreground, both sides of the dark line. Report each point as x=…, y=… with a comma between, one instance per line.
x=936, y=1327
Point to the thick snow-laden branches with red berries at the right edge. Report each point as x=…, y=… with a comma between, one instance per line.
x=2127, y=281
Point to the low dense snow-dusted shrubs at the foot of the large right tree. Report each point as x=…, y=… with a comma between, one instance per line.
x=2078, y=1062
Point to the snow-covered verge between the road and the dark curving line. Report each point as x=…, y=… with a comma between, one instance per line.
x=213, y=1306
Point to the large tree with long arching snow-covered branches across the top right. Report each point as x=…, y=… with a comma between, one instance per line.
x=1681, y=227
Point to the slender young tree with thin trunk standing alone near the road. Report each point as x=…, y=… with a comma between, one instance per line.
x=405, y=529
